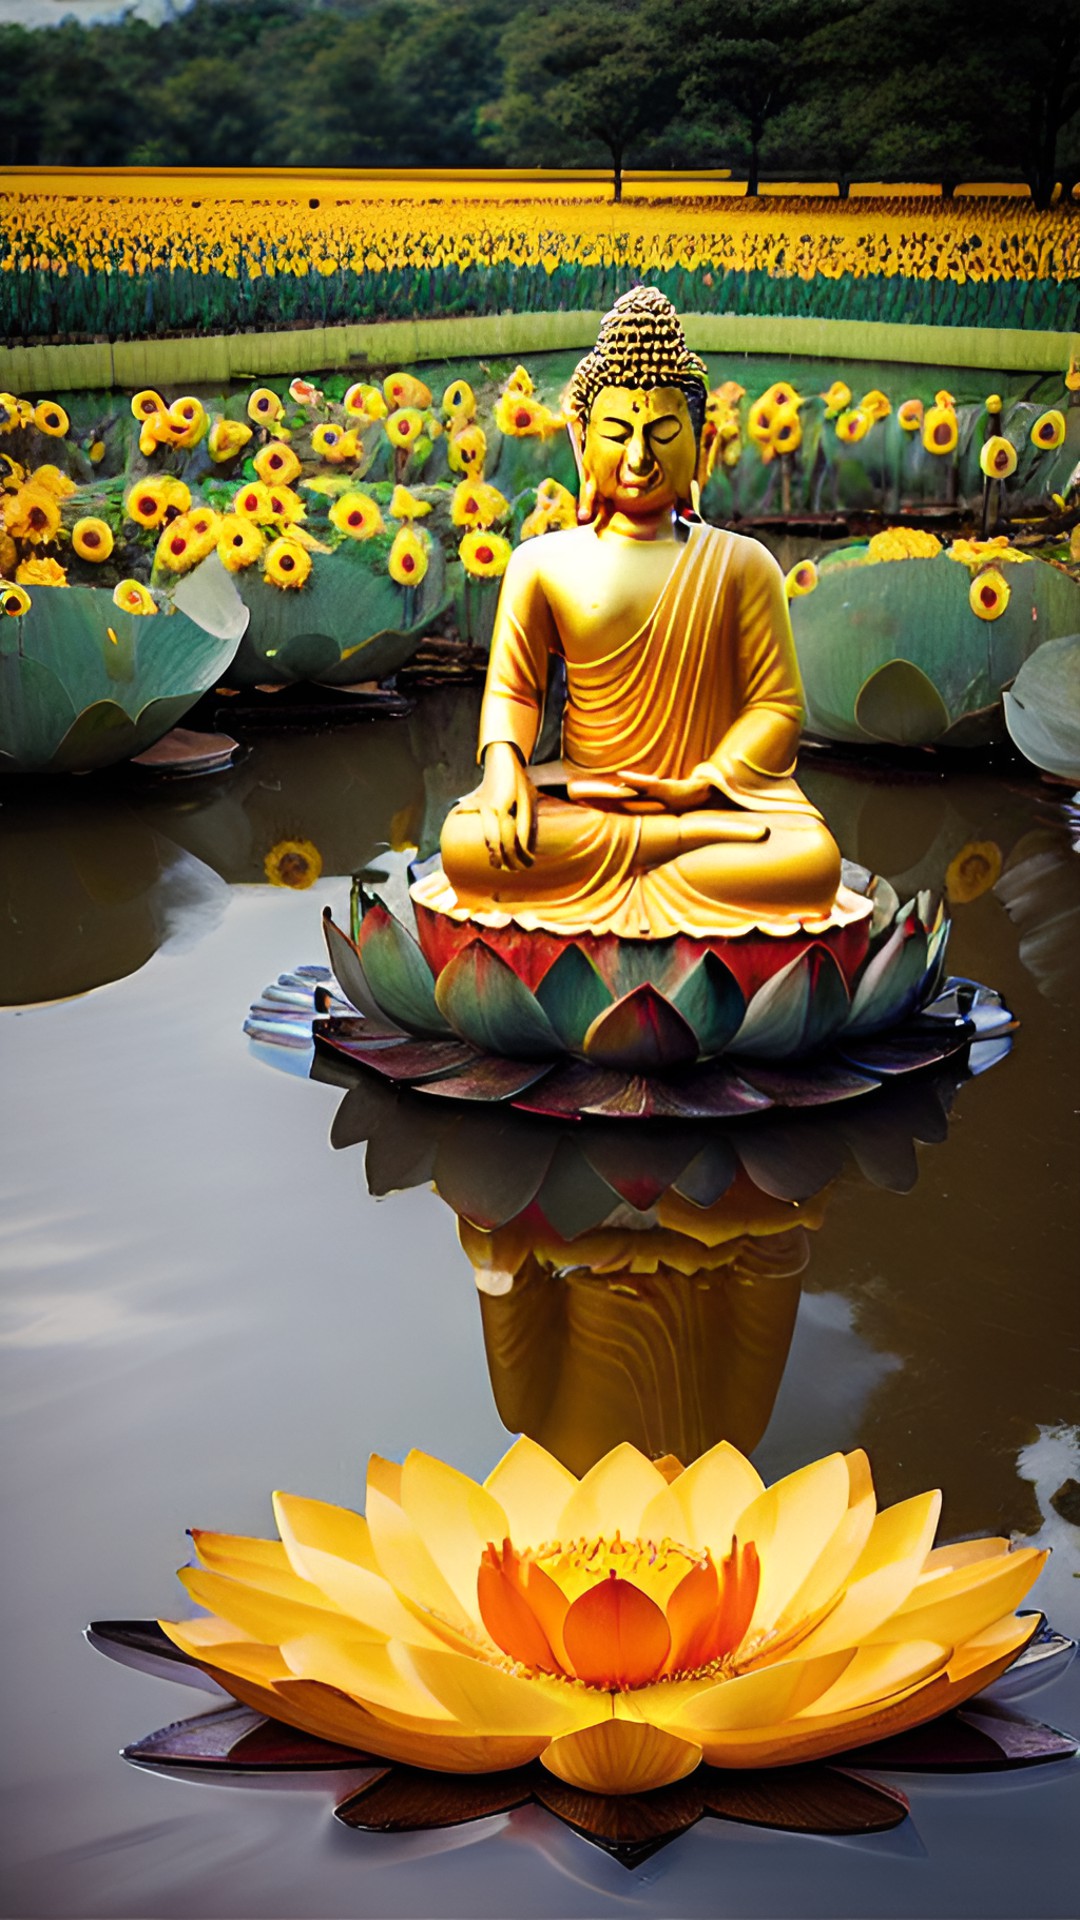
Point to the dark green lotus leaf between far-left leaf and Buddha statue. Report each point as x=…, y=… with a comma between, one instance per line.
x=349, y=623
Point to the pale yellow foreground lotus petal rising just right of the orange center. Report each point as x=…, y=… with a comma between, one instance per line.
x=791, y=1524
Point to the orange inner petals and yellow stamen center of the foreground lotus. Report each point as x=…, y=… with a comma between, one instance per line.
x=618, y=1614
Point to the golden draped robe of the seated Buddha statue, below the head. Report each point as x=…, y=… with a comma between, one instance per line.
x=708, y=688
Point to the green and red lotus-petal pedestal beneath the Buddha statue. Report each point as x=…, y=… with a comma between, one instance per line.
x=647, y=1028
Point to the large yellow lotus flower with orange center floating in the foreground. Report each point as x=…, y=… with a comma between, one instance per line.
x=620, y=1629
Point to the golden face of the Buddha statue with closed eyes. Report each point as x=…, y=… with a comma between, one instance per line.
x=641, y=450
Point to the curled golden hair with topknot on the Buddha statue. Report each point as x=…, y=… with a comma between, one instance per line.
x=641, y=345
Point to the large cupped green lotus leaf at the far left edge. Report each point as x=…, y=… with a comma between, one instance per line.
x=151, y=673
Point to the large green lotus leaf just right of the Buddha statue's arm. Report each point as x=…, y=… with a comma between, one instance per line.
x=864, y=619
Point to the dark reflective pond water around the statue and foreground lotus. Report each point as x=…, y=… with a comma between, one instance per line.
x=210, y=1297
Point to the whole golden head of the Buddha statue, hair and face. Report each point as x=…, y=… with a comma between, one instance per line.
x=635, y=408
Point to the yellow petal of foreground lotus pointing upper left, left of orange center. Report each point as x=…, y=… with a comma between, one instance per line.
x=347, y=1575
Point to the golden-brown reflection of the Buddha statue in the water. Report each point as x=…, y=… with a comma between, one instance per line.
x=672, y=1333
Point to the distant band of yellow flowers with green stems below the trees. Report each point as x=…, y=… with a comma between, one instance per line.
x=86, y=264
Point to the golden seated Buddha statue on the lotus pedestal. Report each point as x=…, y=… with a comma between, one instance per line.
x=674, y=807
